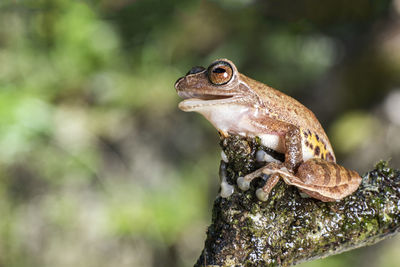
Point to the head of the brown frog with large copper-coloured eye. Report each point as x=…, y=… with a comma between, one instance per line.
x=219, y=84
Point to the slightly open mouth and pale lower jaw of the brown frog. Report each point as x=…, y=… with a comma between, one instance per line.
x=194, y=101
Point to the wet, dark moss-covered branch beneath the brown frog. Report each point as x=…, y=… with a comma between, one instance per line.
x=288, y=229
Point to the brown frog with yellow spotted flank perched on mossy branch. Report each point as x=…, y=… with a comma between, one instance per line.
x=238, y=105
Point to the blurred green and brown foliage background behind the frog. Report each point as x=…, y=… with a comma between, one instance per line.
x=98, y=167
